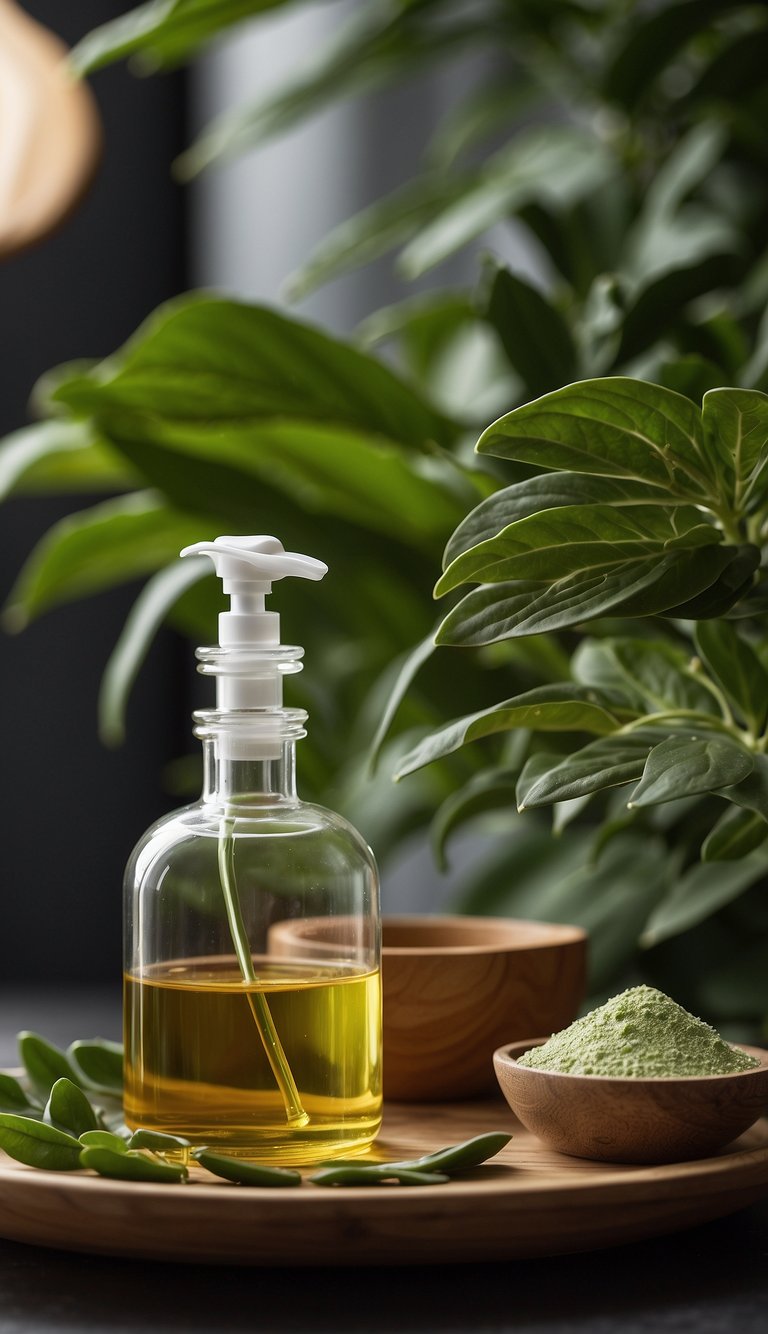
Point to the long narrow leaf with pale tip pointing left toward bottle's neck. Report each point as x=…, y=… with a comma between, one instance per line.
x=551, y=709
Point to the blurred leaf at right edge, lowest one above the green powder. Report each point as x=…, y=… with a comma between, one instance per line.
x=702, y=892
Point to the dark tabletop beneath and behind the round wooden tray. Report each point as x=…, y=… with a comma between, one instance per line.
x=707, y=1280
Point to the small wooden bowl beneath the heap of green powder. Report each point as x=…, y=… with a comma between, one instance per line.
x=633, y=1121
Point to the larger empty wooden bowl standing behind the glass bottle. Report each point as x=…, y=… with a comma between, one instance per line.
x=458, y=986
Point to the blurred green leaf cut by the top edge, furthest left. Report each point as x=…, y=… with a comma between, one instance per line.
x=163, y=31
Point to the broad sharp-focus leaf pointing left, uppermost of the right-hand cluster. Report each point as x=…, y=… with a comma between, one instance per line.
x=617, y=428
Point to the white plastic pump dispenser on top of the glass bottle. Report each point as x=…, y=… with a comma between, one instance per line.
x=250, y=662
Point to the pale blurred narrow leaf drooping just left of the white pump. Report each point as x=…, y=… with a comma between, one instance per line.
x=145, y=620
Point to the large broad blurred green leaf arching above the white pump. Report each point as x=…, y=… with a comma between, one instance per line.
x=202, y=360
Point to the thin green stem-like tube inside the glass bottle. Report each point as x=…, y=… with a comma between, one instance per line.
x=274, y=1051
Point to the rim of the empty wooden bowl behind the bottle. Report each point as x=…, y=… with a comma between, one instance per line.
x=542, y=934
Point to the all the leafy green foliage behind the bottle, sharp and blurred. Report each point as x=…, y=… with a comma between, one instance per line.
x=613, y=526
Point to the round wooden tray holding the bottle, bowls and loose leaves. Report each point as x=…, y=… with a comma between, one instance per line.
x=530, y=1201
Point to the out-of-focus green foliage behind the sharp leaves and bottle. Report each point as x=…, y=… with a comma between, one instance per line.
x=618, y=153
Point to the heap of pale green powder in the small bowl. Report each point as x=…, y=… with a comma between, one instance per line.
x=638, y=1035
